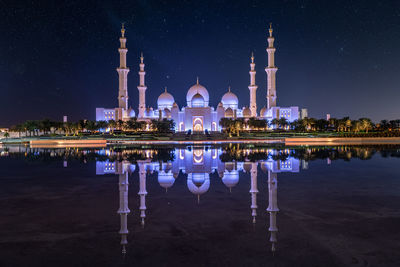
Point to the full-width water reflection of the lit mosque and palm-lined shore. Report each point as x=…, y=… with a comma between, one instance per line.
x=196, y=164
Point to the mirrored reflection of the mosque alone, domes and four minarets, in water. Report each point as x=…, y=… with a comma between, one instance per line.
x=198, y=164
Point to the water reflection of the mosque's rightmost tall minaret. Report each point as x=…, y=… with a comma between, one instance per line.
x=272, y=206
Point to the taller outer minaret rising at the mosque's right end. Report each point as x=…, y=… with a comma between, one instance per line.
x=271, y=71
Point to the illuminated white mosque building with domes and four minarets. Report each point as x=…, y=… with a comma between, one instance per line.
x=197, y=115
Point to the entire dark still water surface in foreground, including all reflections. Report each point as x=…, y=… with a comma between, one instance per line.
x=200, y=206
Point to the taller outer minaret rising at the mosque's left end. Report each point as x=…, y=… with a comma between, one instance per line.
x=123, y=72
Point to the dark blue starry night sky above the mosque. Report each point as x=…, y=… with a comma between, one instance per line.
x=60, y=57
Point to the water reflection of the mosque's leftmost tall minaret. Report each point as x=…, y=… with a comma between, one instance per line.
x=123, y=209
